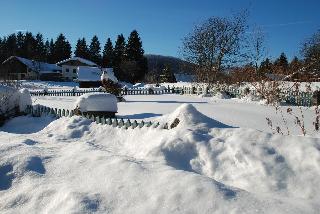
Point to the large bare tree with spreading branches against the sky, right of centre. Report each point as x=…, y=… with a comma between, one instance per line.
x=214, y=44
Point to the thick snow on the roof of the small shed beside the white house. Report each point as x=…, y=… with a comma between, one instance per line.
x=88, y=74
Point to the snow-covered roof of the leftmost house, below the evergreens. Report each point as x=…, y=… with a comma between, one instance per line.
x=42, y=67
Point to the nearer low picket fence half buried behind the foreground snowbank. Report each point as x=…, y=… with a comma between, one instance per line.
x=38, y=110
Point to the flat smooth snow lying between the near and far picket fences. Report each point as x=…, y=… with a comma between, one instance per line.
x=233, y=112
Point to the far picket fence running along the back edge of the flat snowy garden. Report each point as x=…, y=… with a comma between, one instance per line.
x=291, y=98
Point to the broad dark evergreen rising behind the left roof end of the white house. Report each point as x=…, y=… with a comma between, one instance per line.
x=61, y=49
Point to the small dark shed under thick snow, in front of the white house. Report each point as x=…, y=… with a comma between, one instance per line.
x=91, y=76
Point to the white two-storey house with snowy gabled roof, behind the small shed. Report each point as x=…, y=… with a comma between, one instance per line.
x=70, y=66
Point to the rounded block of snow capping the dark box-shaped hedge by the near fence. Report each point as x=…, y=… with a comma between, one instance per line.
x=97, y=102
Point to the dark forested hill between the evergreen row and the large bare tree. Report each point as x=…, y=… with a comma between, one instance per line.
x=178, y=66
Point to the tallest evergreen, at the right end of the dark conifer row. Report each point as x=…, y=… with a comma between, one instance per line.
x=134, y=50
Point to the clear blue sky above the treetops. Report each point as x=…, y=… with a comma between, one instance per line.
x=161, y=24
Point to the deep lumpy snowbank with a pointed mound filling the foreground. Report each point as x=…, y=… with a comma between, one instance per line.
x=201, y=166
